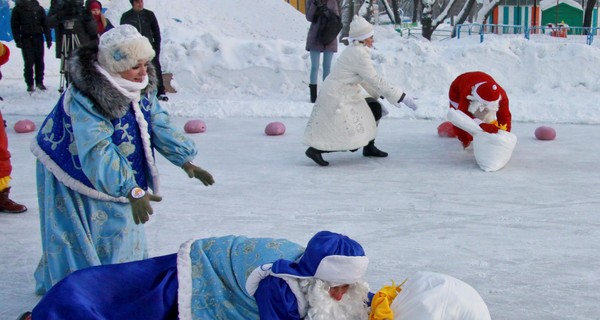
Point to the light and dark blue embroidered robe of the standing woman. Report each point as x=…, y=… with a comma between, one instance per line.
x=86, y=165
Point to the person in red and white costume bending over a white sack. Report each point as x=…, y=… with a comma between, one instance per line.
x=479, y=96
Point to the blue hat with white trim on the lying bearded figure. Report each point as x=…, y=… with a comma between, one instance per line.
x=329, y=256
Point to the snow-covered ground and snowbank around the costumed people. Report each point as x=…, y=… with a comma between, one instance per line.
x=526, y=237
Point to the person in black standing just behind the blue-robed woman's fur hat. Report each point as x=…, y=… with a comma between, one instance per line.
x=145, y=21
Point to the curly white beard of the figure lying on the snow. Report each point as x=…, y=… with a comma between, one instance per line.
x=321, y=306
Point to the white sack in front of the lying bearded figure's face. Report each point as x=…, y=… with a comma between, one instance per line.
x=435, y=296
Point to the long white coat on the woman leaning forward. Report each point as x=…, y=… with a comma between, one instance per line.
x=341, y=118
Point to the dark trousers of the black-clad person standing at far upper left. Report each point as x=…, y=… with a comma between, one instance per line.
x=32, y=48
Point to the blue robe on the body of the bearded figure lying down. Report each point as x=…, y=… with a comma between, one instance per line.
x=205, y=280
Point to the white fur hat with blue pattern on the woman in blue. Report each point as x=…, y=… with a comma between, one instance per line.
x=122, y=47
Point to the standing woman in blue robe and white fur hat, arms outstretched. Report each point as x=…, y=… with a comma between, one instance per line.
x=96, y=173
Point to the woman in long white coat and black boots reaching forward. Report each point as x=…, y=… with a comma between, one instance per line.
x=342, y=119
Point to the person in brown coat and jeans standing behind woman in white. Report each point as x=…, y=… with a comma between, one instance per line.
x=314, y=8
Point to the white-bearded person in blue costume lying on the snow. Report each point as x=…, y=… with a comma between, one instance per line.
x=232, y=277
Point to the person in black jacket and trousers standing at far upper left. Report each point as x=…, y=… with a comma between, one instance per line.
x=29, y=28
